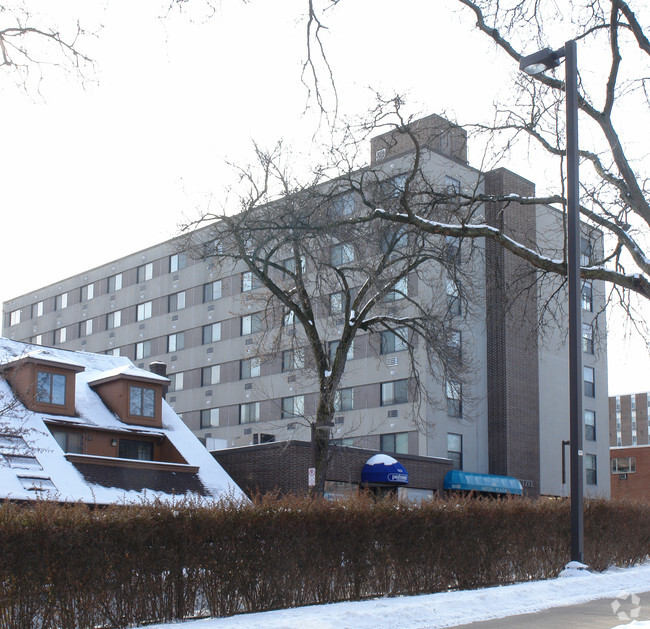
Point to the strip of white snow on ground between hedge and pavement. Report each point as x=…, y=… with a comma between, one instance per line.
x=448, y=609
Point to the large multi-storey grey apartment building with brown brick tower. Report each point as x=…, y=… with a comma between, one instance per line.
x=509, y=417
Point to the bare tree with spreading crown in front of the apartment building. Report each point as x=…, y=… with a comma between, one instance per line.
x=321, y=276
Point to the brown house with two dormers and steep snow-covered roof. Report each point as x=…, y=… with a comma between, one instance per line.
x=94, y=428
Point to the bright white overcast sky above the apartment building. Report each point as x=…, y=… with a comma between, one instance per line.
x=92, y=173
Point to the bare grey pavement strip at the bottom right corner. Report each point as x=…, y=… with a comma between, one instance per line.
x=603, y=613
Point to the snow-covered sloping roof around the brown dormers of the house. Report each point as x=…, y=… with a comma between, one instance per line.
x=33, y=466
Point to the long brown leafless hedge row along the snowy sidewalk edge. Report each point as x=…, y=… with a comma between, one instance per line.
x=74, y=566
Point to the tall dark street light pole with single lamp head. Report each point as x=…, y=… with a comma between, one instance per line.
x=535, y=64
